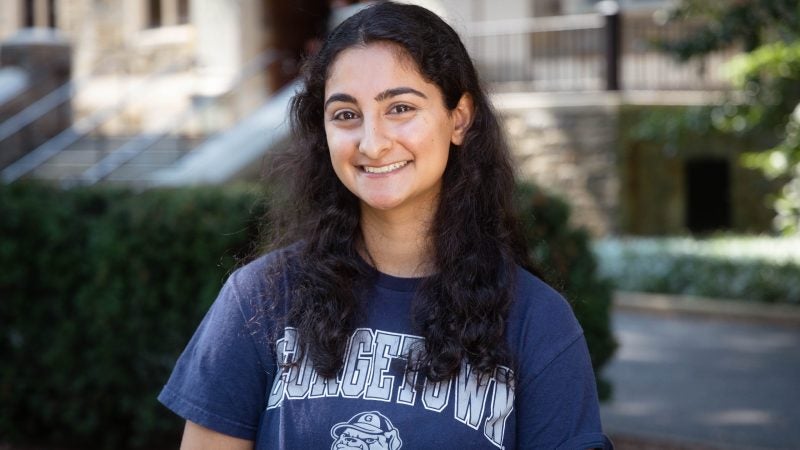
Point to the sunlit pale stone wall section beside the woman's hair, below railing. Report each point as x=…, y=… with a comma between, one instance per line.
x=567, y=143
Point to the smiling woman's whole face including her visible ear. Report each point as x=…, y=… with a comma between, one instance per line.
x=388, y=130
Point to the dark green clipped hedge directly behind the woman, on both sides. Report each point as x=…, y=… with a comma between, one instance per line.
x=101, y=289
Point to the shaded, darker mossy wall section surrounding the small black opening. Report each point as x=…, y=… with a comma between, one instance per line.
x=654, y=195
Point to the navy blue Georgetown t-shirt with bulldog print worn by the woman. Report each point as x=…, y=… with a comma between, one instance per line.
x=228, y=378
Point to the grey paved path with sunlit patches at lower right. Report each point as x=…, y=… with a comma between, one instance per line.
x=714, y=383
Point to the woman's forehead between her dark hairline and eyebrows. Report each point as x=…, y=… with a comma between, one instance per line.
x=374, y=67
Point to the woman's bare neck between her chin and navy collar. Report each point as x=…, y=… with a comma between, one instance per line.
x=398, y=243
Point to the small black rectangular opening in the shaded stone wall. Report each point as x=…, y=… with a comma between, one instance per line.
x=708, y=189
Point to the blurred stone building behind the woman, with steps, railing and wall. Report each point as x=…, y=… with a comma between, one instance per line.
x=179, y=92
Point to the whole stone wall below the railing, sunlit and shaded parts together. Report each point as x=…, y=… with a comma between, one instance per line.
x=579, y=146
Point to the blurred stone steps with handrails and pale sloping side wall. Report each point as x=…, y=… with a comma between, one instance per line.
x=162, y=157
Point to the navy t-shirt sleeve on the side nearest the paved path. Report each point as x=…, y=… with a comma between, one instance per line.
x=557, y=404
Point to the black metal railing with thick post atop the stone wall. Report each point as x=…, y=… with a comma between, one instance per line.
x=588, y=52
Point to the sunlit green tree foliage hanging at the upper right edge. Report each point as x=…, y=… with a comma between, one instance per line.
x=766, y=80
